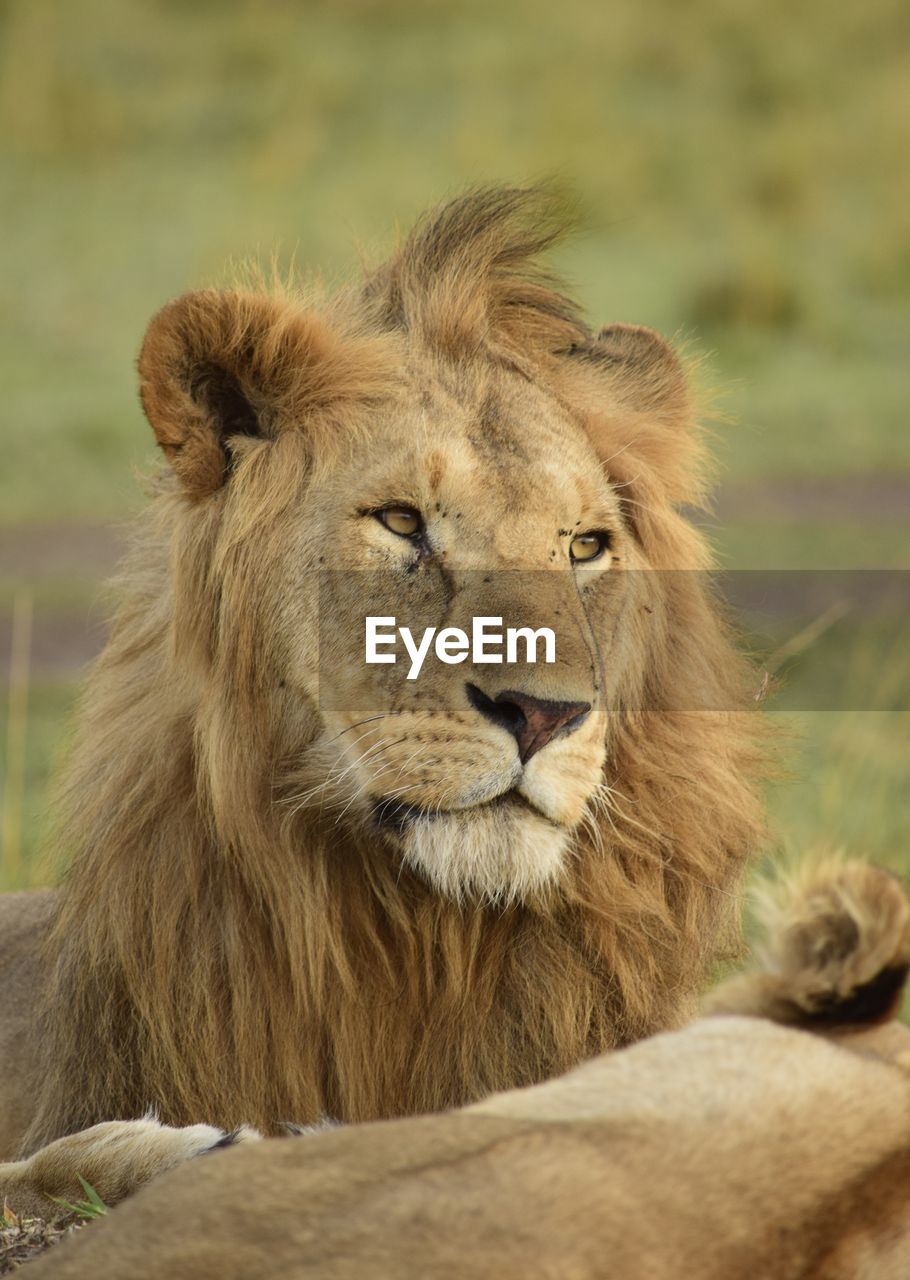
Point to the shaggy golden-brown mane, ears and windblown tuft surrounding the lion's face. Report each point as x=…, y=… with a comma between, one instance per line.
x=223, y=959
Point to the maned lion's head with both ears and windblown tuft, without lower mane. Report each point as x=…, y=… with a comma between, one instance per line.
x=450, y=444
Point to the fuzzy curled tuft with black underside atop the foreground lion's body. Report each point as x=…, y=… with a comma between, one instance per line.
x=836, y=950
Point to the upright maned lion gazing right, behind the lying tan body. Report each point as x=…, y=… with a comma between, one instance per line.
x=295, y=894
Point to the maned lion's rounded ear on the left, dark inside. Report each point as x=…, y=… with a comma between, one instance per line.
x=221, y=365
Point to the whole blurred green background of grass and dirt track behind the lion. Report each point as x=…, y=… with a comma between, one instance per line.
x=743, y=172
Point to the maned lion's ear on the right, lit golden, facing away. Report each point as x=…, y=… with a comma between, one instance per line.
x=635, y=399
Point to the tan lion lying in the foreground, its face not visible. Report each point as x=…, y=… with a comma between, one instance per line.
x=767, y=1140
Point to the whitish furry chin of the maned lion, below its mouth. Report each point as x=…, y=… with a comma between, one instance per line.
x=493, y=854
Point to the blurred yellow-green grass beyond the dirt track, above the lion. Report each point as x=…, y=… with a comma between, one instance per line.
x=740, y=170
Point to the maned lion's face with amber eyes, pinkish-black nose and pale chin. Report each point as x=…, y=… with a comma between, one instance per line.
x=475, y=774
